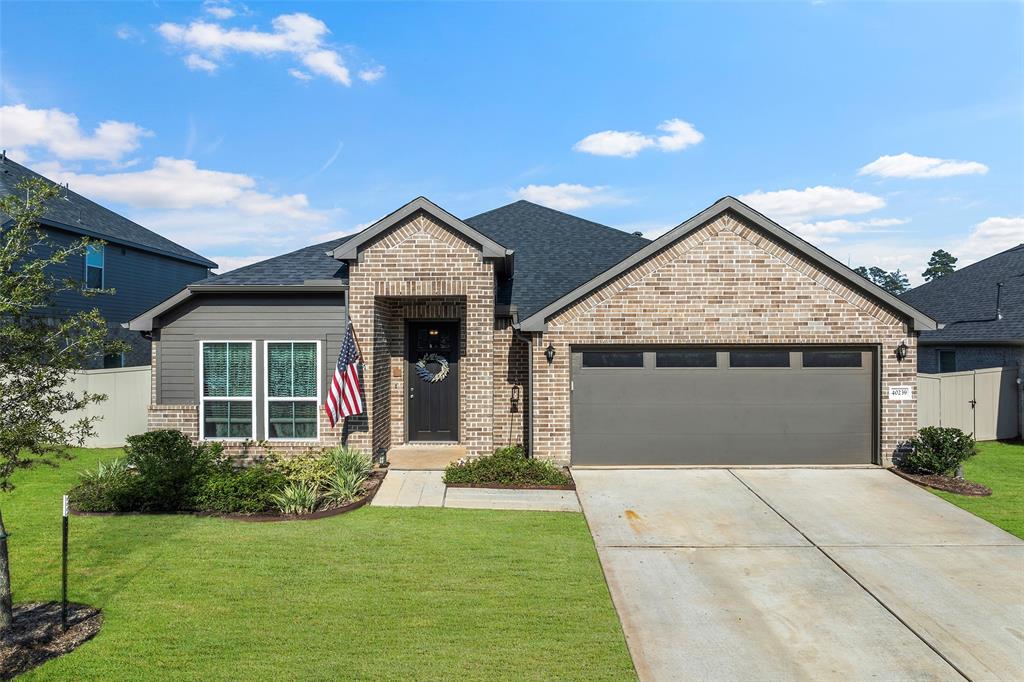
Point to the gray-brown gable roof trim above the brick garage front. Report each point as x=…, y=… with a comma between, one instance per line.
x=538, y=321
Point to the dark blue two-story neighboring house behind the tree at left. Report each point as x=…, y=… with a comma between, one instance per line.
x=142, y=267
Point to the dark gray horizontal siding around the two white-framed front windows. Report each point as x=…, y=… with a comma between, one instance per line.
x=244, y=318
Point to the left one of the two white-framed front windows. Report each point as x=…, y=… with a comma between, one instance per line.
x=228, y=392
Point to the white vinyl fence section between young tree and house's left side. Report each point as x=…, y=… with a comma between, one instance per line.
x=124, y=411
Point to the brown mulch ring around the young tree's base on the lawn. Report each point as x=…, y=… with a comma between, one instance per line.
x=36, y=635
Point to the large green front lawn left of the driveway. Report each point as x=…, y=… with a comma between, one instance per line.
x=411, y=594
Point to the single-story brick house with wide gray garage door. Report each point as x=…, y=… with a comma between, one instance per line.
x=729, y=340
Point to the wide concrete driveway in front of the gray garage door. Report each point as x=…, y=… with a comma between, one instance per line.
x=804, y=575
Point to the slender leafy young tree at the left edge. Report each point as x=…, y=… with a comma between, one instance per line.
x=40, y=347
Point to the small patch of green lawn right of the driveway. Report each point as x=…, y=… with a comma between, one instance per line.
x=1000, y=466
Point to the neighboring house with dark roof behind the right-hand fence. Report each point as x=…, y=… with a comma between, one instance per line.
x=982, y=309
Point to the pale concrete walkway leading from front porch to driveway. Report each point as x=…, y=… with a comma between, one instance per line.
x=426, y=489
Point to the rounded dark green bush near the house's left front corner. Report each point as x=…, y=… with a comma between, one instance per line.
x=170, y=468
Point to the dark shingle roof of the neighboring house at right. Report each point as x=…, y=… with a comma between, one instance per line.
x=965, y=302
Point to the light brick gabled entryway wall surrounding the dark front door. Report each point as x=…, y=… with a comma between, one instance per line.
x=418, y=269
